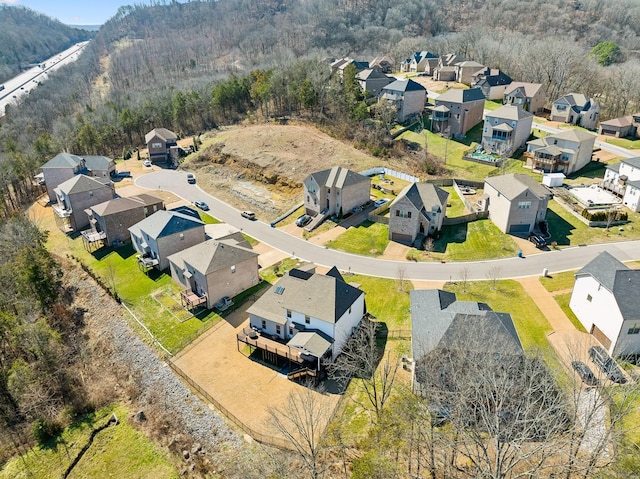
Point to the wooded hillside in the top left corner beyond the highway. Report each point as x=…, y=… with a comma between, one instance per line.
x=28, y=37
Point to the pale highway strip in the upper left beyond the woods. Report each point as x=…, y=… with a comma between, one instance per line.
x=17, y=87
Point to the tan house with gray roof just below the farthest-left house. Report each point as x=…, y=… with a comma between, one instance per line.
x=77, y=194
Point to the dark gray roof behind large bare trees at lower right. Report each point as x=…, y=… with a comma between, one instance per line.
x=440, y=321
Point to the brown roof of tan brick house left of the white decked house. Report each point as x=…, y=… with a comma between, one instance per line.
x=211, y=256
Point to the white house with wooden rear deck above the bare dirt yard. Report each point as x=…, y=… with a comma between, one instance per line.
x=309, y=314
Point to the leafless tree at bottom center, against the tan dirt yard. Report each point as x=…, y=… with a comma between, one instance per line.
x=302, y=421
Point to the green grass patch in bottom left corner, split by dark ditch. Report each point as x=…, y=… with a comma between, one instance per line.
x=120, y=451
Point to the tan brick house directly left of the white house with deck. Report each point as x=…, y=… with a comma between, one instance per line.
x=211, y=270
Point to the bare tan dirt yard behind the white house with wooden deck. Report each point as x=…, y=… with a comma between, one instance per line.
x=247, y=389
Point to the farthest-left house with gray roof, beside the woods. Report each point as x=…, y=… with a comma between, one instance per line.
x=65, y=166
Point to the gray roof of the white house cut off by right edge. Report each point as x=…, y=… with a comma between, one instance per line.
x=622, y=281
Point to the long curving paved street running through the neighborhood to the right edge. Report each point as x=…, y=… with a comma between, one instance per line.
x=555, y=261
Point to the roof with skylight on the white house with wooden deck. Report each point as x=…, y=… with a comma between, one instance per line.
x=321, y=296
